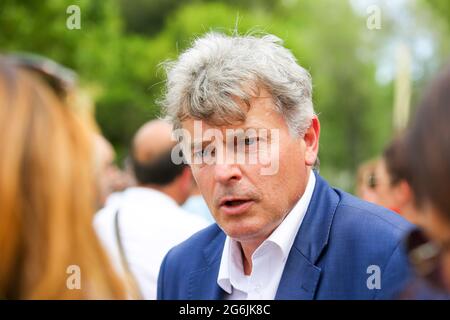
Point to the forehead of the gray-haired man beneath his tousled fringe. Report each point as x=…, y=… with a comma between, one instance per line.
x=261, y=113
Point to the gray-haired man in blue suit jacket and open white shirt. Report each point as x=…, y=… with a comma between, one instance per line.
x=240, y=104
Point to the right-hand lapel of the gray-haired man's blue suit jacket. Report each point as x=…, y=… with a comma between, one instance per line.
x=301, y=276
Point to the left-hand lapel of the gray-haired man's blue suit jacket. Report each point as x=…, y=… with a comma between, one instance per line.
x=203, y=283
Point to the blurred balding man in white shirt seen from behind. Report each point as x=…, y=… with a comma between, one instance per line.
x=147, y=220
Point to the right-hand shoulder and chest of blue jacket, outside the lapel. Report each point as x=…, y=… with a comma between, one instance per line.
x=364, y=236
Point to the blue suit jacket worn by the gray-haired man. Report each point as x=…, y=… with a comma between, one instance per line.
x=340, y=238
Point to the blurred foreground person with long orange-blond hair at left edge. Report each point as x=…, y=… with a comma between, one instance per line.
x=47, y=190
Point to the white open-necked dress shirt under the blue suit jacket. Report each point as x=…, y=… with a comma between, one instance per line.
x=268, y=260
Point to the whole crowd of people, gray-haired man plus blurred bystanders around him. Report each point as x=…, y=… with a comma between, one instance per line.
x=220, y=229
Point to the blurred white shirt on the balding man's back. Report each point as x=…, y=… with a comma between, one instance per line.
x=150, y=223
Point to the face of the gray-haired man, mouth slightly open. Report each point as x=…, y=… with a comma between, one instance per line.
x=247, y=204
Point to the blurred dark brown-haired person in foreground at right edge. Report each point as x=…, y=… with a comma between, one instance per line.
x=427, y=157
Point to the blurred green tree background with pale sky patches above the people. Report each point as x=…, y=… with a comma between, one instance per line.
x=121, y=43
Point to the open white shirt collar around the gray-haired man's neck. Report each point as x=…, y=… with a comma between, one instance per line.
x=283, y=237
